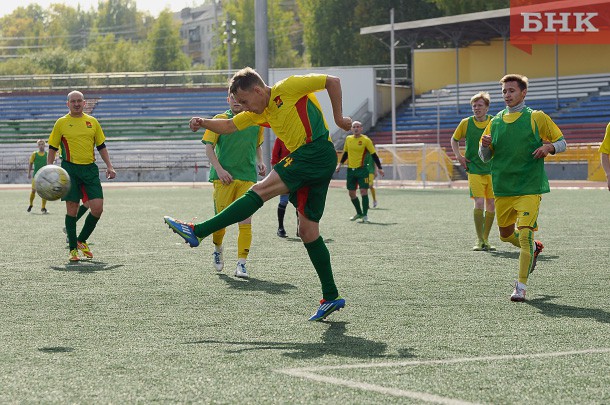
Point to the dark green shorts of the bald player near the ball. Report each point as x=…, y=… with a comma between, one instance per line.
x=85, y=182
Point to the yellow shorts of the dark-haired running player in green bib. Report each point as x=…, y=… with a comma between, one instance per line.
x=522, y=210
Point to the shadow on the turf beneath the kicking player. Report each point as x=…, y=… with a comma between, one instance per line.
x=334, y=342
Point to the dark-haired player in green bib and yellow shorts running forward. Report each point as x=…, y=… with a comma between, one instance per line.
x=513, y=143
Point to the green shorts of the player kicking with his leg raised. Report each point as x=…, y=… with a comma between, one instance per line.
x=307, y=173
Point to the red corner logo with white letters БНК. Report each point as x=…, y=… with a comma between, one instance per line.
x=559, y=22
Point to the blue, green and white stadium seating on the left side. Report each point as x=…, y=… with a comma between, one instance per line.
x=146, y=130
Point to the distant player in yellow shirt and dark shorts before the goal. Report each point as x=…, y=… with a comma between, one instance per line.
x=355, y=148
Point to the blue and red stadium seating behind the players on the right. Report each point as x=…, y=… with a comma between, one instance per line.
x=581, y=113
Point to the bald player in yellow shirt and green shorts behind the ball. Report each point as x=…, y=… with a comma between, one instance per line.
x=78, y=133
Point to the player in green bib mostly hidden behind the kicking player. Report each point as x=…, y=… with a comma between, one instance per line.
x=236, y=160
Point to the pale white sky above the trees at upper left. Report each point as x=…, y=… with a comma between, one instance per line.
x=154, y=7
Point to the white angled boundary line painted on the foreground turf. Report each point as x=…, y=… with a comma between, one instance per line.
x=310, y=373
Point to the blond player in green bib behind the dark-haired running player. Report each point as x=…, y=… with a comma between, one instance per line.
x=479, y=175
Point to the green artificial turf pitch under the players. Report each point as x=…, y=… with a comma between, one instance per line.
x=427, y=320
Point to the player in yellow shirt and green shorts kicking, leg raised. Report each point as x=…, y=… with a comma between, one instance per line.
x=291, y=109
